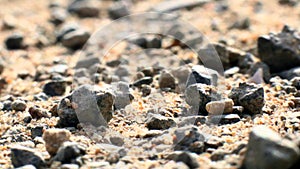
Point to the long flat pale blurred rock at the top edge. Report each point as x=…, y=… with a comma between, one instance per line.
x=173, y=5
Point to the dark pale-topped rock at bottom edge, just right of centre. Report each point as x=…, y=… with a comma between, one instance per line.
x=181, y=156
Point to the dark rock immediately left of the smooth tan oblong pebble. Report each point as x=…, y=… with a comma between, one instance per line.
x=198, y=95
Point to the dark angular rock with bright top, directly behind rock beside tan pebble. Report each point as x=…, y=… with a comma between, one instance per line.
x=203, y=75
